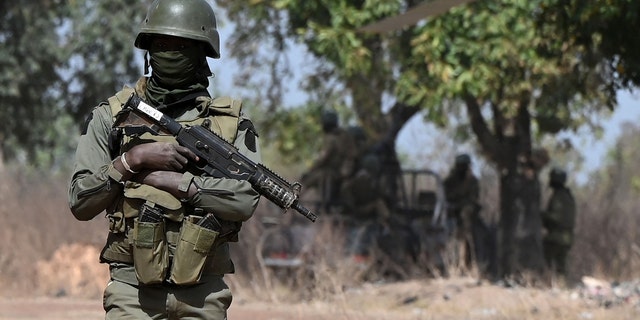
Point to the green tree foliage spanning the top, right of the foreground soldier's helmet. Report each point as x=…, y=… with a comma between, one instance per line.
x=496, y=53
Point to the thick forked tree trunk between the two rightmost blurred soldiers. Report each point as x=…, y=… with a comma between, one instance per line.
x=509, y=146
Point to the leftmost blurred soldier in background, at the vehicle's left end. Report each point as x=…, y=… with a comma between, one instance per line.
x=334, y=163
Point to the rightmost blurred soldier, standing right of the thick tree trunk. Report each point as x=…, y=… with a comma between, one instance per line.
x=558, y=220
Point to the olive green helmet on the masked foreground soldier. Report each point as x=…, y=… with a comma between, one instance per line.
x=190, y=19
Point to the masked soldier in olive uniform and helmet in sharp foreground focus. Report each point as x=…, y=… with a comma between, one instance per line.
x=168, y=267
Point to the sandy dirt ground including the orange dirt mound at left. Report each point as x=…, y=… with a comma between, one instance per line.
x=73, y=274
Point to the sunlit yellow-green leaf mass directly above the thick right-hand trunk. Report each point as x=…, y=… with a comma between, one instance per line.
x=493, y=52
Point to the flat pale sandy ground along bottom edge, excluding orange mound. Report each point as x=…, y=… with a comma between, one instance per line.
x=414, y=300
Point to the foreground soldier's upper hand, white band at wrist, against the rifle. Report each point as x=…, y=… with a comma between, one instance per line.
x=159, y=156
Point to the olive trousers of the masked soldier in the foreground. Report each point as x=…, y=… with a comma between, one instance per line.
x=209, y=301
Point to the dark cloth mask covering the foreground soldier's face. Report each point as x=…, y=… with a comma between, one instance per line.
x=178, y=69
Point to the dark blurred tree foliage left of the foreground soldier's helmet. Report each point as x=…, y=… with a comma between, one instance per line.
x=60, y=58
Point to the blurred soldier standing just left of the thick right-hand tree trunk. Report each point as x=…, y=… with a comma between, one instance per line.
x=462, y=192
